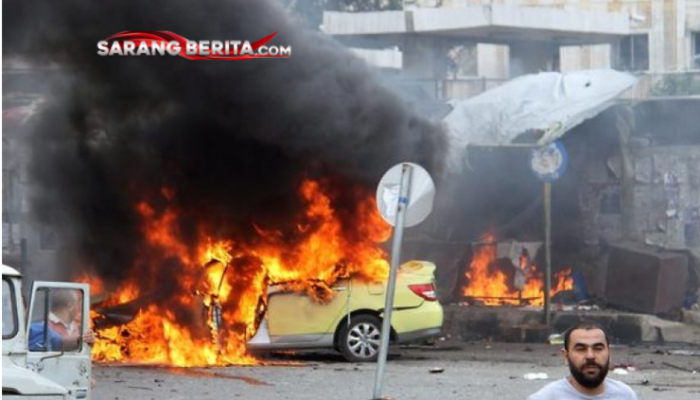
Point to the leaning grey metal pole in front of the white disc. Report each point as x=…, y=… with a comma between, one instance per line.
x=401, y=206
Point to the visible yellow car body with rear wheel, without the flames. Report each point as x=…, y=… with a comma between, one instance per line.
x=350, y=318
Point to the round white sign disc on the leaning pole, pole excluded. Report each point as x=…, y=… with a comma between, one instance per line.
x=420, y=195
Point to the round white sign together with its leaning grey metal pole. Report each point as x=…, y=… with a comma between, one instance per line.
x=405, y=198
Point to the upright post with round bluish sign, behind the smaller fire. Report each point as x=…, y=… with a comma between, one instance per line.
x=548, y=163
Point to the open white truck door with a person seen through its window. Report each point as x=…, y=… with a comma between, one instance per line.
x=58, y=317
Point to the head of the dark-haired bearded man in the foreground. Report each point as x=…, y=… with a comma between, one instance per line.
x=588, y=357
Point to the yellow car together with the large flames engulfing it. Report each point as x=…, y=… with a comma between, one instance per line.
x=207, y=312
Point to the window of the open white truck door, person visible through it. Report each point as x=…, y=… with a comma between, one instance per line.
x=56, y=320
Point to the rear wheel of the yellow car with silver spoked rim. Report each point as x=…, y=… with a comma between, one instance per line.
x=359, y=340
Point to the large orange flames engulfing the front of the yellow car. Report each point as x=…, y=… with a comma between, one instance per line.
x=215, y=304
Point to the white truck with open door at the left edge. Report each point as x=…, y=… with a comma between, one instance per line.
x=43, y=355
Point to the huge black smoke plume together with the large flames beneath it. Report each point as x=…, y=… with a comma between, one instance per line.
x=152, y=167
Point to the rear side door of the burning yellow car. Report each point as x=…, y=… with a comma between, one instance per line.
x=298, y=318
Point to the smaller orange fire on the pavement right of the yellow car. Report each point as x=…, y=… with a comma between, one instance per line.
x=491, y=285
